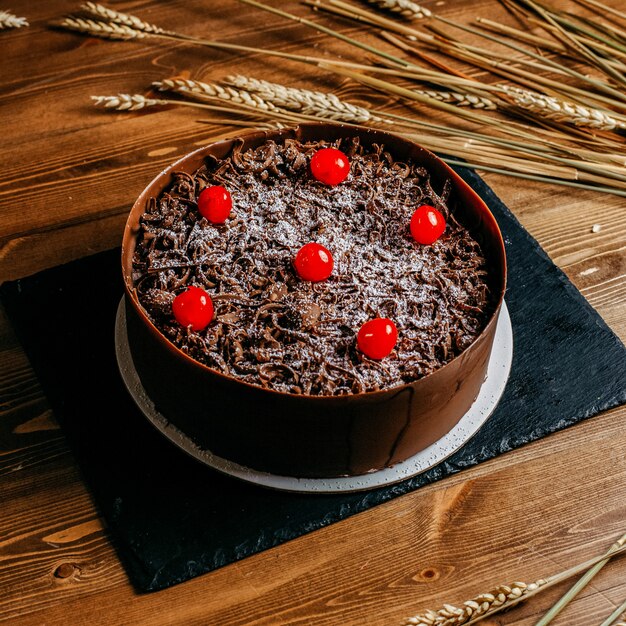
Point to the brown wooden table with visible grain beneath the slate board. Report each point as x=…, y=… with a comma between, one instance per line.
x=69, y=175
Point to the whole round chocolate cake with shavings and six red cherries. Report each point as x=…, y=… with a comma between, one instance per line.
x=318, y=301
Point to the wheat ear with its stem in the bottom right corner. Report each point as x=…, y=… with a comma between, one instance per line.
x=506, y=596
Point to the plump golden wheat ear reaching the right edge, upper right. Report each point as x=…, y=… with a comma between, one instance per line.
x=562, y=111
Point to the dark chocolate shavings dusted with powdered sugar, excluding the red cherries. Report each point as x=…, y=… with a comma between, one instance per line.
x=273, y=329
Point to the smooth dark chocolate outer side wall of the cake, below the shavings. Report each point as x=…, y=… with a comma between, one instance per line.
x=305, y=436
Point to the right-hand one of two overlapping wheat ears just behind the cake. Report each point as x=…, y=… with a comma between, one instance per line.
x=305, y=101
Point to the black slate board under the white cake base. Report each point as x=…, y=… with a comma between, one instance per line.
x=175, y=519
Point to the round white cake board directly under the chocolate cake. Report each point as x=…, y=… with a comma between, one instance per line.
x=492, y=389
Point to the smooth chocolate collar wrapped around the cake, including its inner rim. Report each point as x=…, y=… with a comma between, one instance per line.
x=300, y=434
